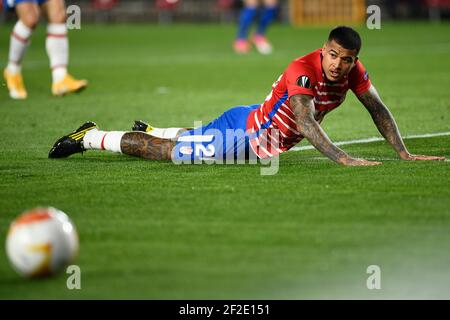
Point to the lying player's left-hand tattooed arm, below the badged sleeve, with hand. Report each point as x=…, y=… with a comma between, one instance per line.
x=303, y=107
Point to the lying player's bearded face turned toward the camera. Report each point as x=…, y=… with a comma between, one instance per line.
x=337, y=61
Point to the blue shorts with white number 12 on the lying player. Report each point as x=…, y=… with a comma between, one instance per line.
x=224, y=138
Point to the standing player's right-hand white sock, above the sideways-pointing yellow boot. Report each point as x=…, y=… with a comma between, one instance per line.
x=57, y=46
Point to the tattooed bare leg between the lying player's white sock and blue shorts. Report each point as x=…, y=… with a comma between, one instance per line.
x=143, y=145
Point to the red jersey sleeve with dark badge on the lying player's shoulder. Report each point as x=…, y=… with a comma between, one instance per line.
x=300, y=78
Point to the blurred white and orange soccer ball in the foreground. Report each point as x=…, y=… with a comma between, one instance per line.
x=41, y=242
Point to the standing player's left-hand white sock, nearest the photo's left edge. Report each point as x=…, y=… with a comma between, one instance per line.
x=18, y=45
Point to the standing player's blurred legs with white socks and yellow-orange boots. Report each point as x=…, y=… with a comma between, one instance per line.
x=29, y=12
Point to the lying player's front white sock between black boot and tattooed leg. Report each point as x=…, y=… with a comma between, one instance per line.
x=103, y=140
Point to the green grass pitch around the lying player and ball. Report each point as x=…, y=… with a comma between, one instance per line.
x=155, y=230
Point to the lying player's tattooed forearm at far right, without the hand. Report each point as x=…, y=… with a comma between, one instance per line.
x=383, y=119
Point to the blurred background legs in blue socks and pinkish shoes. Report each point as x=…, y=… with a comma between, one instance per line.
x=248, y=13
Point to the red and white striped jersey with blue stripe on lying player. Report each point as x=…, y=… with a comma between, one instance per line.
x=272, y=126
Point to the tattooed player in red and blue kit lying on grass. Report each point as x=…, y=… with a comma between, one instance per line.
x=308, y=89
